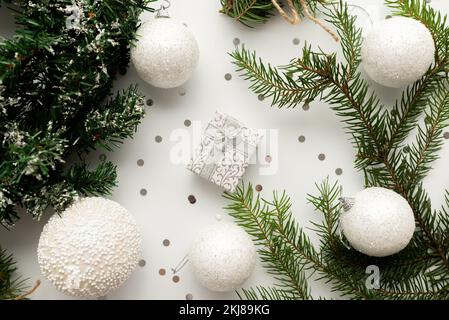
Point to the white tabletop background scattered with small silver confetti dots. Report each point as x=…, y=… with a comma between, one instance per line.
x=165, y=212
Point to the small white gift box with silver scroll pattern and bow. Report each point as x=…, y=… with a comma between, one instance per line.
x=225, y=151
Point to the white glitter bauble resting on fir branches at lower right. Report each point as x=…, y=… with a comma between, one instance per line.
x=379, y=223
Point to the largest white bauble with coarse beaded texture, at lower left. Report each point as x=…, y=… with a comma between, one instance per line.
x=89, y=249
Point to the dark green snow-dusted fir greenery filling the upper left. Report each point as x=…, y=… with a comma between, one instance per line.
x=55, y=100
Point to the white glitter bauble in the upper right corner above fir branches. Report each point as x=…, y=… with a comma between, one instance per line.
x=398, y=51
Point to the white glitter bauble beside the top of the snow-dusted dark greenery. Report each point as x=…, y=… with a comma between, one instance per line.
x=166, y=54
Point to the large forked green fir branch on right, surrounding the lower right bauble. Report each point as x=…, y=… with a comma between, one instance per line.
x=421, y=271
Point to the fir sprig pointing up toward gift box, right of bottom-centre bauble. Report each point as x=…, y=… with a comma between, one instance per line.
x=261, y=220
